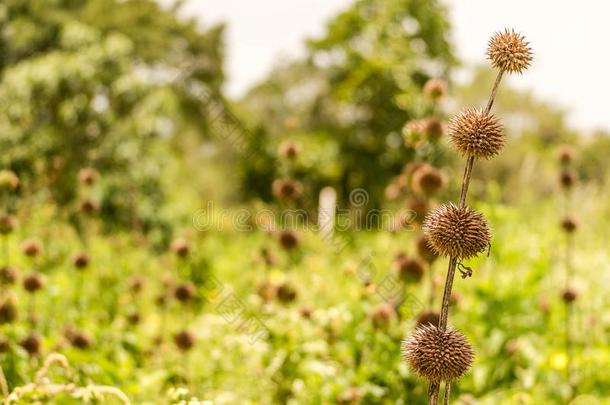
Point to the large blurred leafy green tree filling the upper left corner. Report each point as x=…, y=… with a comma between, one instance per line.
x=90, y=83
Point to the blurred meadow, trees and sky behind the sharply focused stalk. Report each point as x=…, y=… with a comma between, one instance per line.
x=137, y=133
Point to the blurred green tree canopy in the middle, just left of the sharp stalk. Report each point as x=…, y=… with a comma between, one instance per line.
x=348, y=99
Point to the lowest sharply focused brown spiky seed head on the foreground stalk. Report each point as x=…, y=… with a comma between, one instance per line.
x=438, y=355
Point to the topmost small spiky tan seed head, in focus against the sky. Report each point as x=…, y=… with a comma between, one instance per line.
x=509, y=52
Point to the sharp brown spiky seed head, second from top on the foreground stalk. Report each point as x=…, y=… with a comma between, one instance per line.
x=474, y=133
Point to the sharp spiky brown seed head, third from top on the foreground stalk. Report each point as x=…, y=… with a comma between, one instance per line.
x=457, y=232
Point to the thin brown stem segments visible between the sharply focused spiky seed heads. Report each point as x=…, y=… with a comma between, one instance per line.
x=433, y=391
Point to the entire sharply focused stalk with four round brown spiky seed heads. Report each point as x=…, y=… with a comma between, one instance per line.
x=433, y=351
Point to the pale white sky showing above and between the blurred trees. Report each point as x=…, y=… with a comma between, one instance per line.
x=570, y=41
